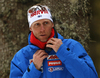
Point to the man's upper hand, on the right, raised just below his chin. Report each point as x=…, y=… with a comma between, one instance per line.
x=56, y=43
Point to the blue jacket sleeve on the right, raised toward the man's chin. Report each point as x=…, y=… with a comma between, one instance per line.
x=77, y=61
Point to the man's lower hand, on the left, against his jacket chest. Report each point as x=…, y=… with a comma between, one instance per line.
x=38, y=58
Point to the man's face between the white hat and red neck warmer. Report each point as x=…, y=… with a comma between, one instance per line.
x=42, y=29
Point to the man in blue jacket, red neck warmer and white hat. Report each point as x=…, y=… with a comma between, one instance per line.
x=48, y=54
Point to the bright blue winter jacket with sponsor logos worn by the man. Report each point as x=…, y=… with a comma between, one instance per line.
x=70, y=61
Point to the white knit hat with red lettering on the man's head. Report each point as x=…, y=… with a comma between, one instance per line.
x=36, y=13
